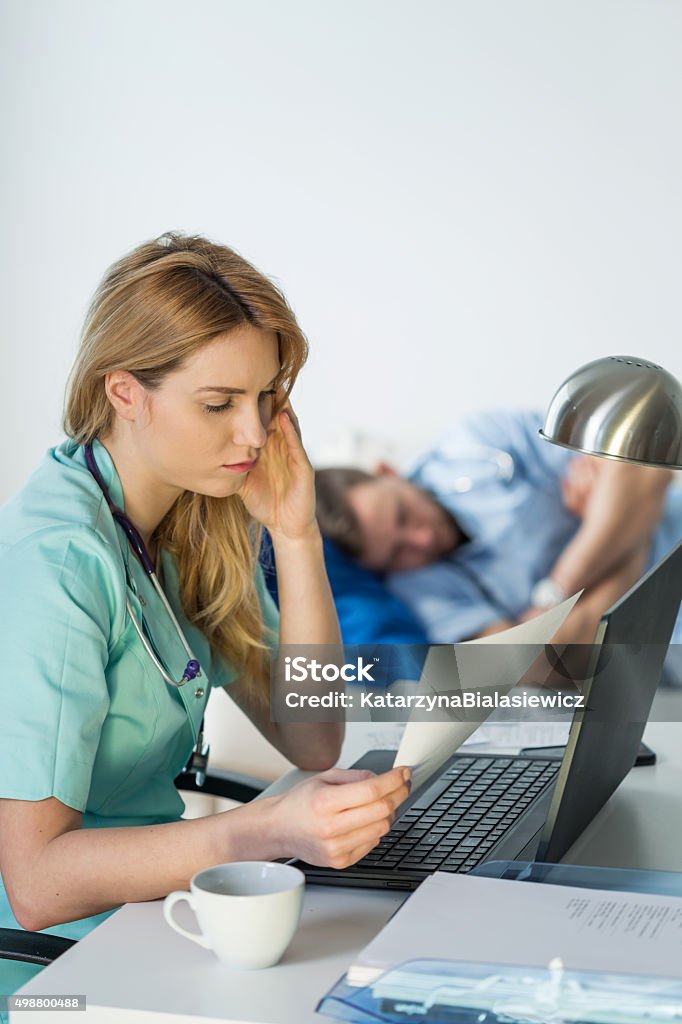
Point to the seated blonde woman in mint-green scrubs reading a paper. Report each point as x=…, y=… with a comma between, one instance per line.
x=178, y=414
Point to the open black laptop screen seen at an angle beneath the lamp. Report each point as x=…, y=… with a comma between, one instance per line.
x=627, y=663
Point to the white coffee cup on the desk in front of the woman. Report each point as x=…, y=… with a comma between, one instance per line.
x=248, y=912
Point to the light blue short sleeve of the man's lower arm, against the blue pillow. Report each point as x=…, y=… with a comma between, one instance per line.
x=447, y=601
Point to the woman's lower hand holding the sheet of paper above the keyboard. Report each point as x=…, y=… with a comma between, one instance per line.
x=336, y=818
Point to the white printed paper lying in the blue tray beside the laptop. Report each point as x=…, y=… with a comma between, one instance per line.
x=461, y=918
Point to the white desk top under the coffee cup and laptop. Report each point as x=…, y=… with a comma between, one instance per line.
x=135, y=968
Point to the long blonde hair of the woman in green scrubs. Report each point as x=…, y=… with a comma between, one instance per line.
x=155, y=309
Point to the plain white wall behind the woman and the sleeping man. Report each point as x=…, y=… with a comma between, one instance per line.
x=463, y=200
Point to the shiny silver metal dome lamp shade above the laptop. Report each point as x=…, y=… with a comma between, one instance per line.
x=621, y=408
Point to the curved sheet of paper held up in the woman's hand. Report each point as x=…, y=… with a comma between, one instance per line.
x=494, y=664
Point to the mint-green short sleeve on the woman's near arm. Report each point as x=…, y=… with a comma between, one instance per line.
x=56, y=623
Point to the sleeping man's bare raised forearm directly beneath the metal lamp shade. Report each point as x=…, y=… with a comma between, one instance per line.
x=620, y=504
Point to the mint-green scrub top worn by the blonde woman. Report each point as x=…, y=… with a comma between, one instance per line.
x=87, y=715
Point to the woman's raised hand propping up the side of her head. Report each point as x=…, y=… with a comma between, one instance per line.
x=280, y=490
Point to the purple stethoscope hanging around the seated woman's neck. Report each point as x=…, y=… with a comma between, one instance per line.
x=199, y=759
